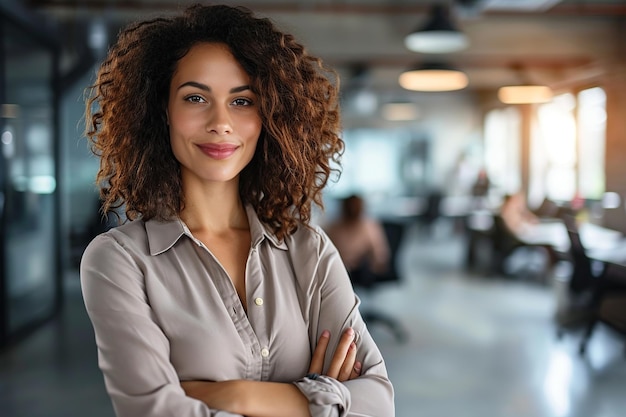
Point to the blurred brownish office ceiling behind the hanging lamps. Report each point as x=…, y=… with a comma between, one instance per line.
x=511, y=41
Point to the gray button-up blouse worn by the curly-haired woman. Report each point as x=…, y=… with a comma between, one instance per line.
x=165, y=311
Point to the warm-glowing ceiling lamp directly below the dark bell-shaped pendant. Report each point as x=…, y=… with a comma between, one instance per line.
x=433, y=77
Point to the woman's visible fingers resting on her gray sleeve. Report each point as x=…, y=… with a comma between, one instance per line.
x=344, y=365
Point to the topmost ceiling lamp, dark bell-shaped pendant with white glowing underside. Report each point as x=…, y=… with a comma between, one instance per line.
x=438, y=35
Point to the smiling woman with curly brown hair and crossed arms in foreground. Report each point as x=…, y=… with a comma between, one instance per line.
x=216, y=133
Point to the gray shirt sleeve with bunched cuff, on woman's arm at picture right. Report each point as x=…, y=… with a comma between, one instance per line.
x=334, y=306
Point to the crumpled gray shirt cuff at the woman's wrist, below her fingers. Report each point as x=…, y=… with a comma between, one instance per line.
x=327, y=397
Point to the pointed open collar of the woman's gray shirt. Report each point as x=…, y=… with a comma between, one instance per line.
x=162, y=235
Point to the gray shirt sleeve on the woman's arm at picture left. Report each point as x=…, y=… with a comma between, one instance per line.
x=133, y=352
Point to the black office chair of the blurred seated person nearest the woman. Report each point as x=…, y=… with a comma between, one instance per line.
x=366, y=280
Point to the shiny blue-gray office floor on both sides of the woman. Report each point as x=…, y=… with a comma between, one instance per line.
x=477, y=346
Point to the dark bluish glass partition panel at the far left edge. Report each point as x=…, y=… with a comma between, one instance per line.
x=30, y=282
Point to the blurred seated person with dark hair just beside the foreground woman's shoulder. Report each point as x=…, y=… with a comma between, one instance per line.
x=360, y=240
